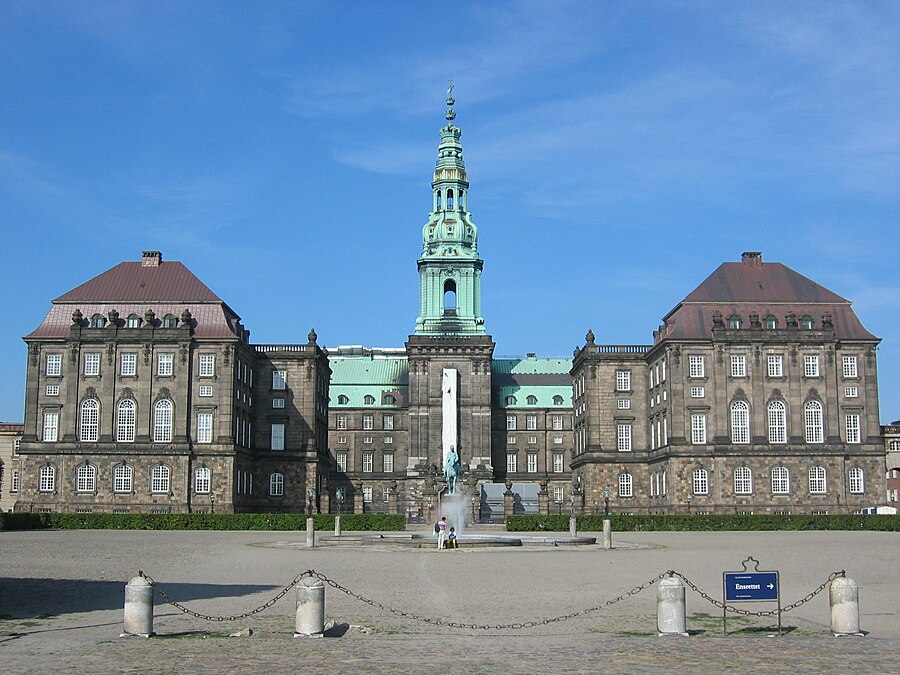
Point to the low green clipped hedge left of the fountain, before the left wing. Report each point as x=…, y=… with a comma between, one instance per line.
x=197, y=521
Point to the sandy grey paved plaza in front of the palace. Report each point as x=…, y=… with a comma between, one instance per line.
x=61, y=604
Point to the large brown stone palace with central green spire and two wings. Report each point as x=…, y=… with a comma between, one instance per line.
x=144, y=393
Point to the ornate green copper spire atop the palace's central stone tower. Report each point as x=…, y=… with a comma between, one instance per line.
x=449, y=268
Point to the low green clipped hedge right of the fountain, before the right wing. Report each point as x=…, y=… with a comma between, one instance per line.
x=637, y=523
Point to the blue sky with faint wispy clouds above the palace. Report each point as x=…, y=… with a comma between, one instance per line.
x=617, y=154
